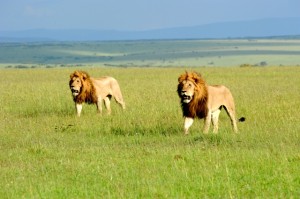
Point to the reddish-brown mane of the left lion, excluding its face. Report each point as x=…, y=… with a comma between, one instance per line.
x=87, y=92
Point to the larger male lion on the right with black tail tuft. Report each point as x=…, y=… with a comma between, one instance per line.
x=203, y=101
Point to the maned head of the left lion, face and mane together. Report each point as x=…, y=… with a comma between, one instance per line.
x=82, y=88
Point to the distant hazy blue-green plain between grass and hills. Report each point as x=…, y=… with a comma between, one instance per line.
x=153, y=53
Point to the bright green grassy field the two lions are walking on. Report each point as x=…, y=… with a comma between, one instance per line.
x=47, y=152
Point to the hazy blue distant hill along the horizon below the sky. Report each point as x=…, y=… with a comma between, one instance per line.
x=238, y=29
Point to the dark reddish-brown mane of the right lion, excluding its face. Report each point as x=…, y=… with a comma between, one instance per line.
x=198, y=105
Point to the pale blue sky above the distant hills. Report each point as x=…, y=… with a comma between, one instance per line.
x=136, y=14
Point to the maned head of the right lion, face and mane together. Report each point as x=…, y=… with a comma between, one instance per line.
x=192, y=91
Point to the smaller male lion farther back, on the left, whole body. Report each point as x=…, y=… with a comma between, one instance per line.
x=86, y=89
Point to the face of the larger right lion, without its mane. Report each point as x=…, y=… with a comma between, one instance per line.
x=186, y=91
